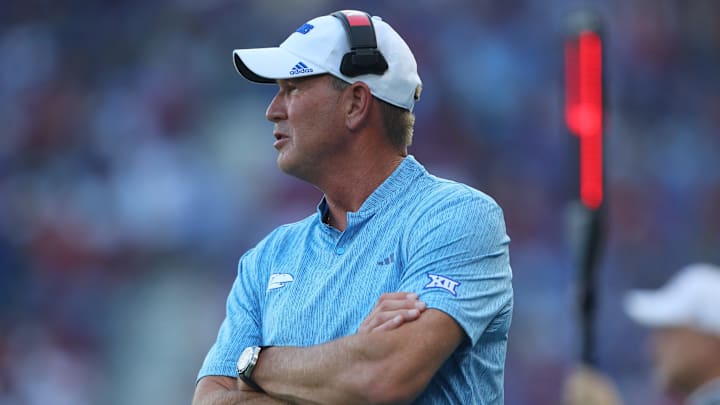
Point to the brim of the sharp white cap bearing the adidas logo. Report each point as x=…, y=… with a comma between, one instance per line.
x=265, y=65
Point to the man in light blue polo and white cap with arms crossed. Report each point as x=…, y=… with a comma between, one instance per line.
x=398, y=289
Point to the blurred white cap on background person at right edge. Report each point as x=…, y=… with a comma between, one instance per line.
x=690, y=298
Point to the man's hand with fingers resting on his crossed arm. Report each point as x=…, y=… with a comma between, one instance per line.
x=391, y=311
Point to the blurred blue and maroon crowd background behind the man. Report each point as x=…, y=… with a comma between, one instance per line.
x=136, y=167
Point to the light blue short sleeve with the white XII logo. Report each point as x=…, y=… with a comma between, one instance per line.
x=457, y=260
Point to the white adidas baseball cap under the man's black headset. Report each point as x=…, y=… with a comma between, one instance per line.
x=319, y=46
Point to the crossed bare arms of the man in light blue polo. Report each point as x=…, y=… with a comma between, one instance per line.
x=392, y=357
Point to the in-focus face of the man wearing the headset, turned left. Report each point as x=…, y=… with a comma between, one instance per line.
x=308, y=117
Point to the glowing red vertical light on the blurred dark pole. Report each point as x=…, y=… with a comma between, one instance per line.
x=584, y=111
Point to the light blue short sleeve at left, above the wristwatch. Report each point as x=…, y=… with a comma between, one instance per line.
x=241, y=327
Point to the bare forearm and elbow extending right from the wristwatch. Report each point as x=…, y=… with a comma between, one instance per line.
x=358, y=369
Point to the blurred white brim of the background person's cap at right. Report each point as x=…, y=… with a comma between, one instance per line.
x=652, y=309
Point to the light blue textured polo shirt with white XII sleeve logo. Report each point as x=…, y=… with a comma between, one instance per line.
x=307, y=283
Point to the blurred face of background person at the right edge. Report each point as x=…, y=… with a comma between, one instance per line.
x=684, y=358
